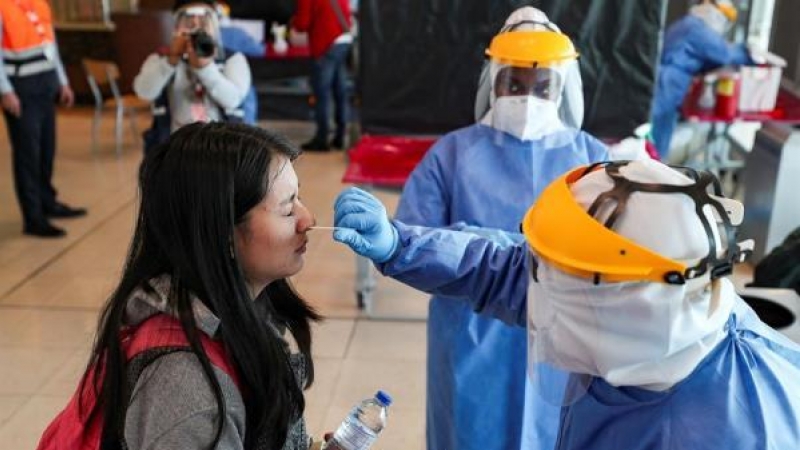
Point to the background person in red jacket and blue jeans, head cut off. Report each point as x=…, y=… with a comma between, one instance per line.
x=329, y=37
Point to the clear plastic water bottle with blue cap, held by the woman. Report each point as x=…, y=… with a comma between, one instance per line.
x=360, y=428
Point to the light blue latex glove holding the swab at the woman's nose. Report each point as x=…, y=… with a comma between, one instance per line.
x=363, y=225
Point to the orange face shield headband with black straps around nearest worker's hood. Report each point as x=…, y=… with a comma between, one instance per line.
x=565, y=235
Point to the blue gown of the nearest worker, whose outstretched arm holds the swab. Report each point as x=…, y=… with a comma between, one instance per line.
x=745, y=395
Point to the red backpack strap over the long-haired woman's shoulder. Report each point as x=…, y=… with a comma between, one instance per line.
x=162, y=330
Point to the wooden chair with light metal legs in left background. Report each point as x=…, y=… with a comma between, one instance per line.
x=103, y=76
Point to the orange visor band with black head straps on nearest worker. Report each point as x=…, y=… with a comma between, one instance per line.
x=561, y=232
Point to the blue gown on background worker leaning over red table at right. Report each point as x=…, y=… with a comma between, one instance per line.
x=690, y=47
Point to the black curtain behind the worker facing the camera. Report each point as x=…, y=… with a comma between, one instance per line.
x=420, y=60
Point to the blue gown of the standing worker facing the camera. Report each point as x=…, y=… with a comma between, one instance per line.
x=484, y=178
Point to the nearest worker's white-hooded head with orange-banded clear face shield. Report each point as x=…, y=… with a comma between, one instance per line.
x=633, y=291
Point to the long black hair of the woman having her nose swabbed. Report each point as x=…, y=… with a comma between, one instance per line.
x=195, y=188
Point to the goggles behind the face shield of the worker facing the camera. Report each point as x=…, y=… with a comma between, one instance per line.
x=544, y=83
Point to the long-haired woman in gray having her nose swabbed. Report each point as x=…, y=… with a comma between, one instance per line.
x=220, y=230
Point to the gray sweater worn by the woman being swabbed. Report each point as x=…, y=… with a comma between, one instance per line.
x=172, y=405
